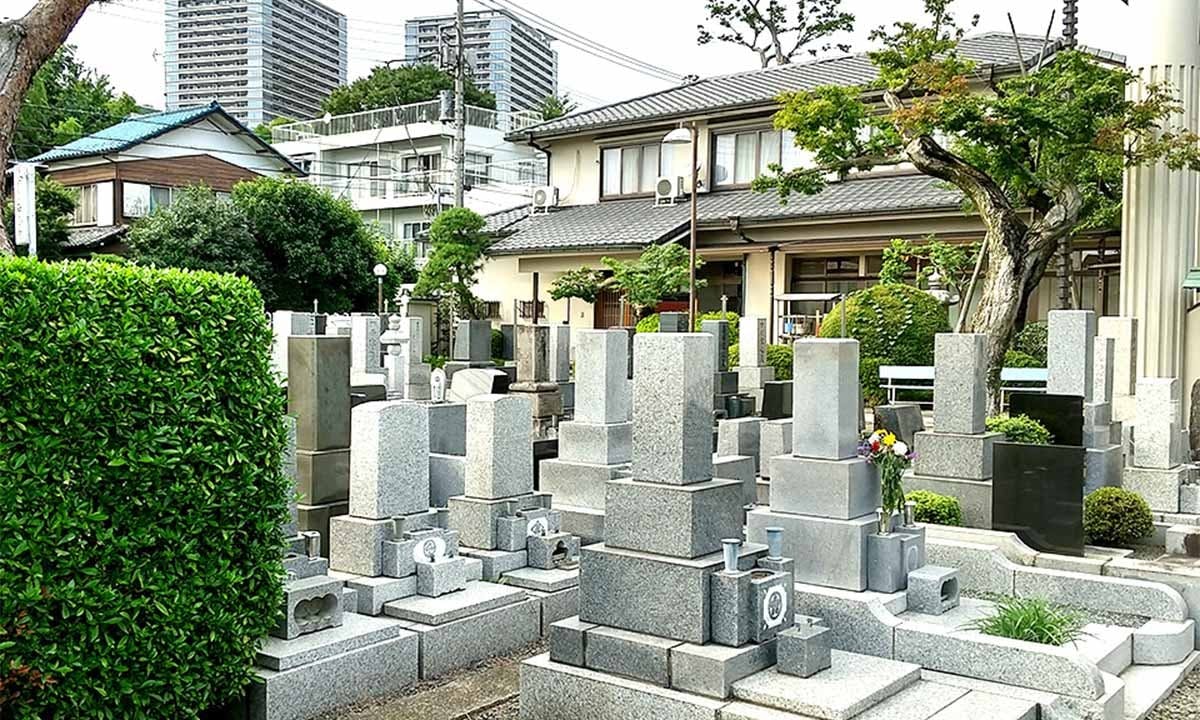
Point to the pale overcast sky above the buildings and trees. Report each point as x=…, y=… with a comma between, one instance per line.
x=125, y=39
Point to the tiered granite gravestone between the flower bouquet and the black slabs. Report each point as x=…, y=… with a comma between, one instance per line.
x=956, y=459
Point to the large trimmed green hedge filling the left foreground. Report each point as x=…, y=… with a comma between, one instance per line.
x=141, y=494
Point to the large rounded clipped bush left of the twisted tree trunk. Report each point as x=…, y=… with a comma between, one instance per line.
x=895, y=325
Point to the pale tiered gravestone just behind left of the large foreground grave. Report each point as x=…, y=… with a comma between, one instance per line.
x=597, y=446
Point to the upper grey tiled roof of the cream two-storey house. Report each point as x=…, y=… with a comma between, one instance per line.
x=763, y=87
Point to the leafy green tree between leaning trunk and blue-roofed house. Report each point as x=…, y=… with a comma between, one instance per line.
x=67, y=100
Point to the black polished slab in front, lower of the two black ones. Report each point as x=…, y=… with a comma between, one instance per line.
x=1039, y=494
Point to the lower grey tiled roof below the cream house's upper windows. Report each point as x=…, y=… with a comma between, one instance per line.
x=637, y=224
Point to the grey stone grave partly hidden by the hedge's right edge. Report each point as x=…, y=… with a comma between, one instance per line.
x=323, y=656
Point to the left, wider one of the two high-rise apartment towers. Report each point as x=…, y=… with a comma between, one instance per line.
x=260, y=59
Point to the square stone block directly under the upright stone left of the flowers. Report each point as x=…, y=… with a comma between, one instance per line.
x=838, y=489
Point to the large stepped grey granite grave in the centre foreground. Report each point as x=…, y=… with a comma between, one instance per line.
x=679, y=616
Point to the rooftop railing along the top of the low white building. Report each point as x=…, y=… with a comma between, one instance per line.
x=397, y=117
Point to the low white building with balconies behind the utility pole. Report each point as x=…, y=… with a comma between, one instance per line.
x=397, y=165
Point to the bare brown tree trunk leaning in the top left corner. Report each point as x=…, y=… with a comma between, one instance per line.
x=26, y=44
